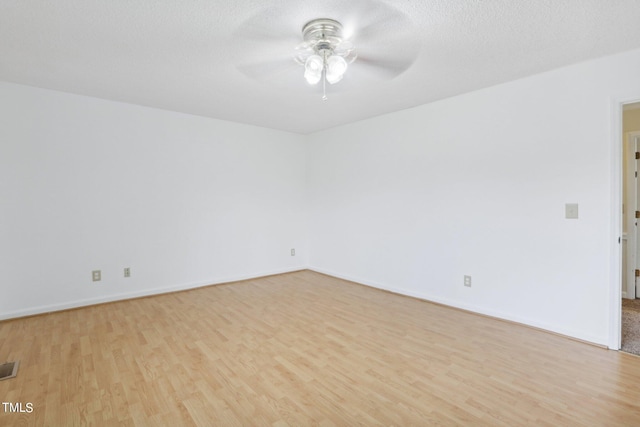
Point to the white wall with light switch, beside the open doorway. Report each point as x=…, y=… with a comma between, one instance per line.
x=476, y=185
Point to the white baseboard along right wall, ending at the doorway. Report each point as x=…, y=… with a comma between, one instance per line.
x=469, y=307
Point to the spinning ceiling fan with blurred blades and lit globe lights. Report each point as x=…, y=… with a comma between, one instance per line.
x=368, y=42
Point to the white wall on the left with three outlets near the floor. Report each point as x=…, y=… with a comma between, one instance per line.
x=183, y=201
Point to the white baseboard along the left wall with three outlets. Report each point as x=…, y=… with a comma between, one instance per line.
x=143, y=293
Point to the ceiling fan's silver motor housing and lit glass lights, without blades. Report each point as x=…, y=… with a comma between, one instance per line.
x=324, y=53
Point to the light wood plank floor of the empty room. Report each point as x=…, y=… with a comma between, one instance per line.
x=305, y=349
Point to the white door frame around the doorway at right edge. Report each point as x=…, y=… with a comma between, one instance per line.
x=615, y=258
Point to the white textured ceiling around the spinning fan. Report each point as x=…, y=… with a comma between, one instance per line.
x=192, y=56
